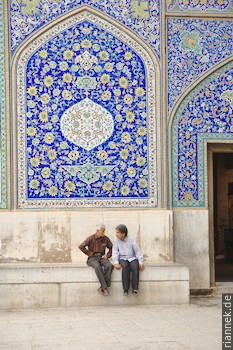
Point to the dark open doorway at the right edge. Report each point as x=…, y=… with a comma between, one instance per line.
x=223, y=216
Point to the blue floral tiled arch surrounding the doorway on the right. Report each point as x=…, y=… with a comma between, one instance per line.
x=203, y=116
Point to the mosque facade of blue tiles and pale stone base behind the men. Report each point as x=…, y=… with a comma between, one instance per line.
x=116, y=112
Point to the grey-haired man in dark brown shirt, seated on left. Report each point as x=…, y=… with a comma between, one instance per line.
x=98, y=258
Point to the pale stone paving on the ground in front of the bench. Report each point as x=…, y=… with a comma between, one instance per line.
x=197, y=326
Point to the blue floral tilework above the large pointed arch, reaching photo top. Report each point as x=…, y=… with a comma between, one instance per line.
x=142, y=17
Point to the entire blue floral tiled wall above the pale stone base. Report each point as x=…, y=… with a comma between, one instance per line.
x=111, y=63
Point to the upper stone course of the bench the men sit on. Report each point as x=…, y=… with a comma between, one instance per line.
x=69, y=273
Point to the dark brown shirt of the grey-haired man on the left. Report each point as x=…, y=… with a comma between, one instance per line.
x=96, y=245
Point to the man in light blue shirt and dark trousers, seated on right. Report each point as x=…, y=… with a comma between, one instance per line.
x=127, y=254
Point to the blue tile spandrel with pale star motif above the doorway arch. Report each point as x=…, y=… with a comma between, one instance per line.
x=194, y=46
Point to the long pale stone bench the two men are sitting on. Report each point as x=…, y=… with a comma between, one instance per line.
x=34, y=285
